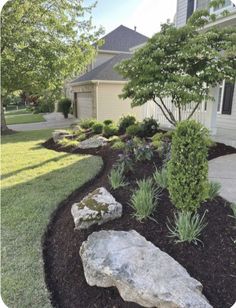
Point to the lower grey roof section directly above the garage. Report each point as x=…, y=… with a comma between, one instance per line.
x=104, y=71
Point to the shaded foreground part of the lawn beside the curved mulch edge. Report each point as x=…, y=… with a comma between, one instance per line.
x=26, y=211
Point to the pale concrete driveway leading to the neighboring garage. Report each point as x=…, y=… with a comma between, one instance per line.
x=53, y=120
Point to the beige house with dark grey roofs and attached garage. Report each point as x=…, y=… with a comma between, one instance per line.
x=96, y=93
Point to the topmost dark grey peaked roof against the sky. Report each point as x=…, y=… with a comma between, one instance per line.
x=122, y=39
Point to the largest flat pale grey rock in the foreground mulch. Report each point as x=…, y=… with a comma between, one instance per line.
x=139, y=270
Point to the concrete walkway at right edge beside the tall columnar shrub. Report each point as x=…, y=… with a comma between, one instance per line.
x=223, y=170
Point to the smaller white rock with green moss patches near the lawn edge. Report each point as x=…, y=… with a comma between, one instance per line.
x=97, y=207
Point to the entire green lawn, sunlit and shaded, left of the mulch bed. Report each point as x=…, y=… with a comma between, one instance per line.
x=34, y=181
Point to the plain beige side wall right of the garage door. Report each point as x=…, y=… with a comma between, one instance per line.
x=110, y=106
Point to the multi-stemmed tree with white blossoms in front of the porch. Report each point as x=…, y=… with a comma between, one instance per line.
x=182, y=64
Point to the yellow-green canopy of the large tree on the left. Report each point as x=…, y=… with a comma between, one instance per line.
x=43, y=43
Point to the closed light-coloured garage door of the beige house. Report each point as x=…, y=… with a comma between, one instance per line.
x=84, y=105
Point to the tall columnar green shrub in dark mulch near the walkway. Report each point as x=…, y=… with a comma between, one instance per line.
x=188, y=166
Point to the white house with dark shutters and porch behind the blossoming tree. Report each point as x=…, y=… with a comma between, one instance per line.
x=219, y=116
